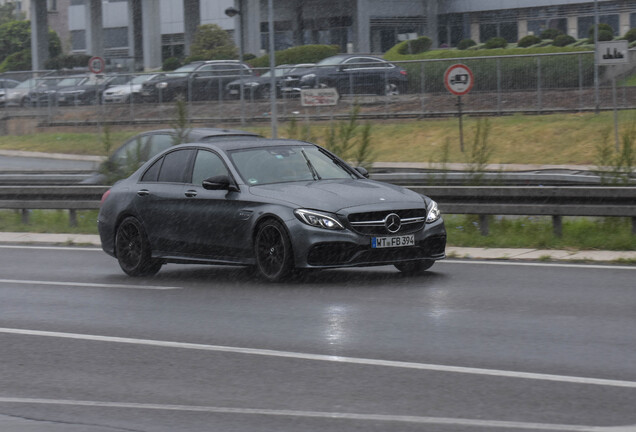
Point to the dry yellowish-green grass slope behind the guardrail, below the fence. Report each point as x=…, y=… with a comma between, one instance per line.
x=541, y=139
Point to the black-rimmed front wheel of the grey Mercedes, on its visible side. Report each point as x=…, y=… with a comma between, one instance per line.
x=273, y=251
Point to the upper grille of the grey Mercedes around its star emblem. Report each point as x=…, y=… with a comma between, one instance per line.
x=373, y=223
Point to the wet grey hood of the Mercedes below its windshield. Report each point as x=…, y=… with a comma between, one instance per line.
x=337, y=195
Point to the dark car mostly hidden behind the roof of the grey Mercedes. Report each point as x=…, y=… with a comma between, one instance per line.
x=141, y=147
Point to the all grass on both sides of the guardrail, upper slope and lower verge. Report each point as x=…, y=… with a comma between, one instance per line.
x=547, y=140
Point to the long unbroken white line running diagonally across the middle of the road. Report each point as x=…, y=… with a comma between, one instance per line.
x=329, y=358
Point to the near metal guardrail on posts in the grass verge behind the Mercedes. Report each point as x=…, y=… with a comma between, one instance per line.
x=483, y=201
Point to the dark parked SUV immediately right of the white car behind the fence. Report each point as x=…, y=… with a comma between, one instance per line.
x=202, y=80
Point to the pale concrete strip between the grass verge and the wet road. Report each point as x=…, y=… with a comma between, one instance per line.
x=451, y=252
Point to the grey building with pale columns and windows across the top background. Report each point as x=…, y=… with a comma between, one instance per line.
x=148, y=31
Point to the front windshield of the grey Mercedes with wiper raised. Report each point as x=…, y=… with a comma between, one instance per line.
x=289, y=163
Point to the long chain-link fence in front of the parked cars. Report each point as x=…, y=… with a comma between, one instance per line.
x=502, y=85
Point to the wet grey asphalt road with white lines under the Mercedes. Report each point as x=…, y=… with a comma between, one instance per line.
x=469, y=347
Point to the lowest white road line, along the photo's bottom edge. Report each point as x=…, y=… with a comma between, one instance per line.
x=321, y=415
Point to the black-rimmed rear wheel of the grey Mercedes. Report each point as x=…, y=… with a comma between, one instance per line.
x=133, y=251
